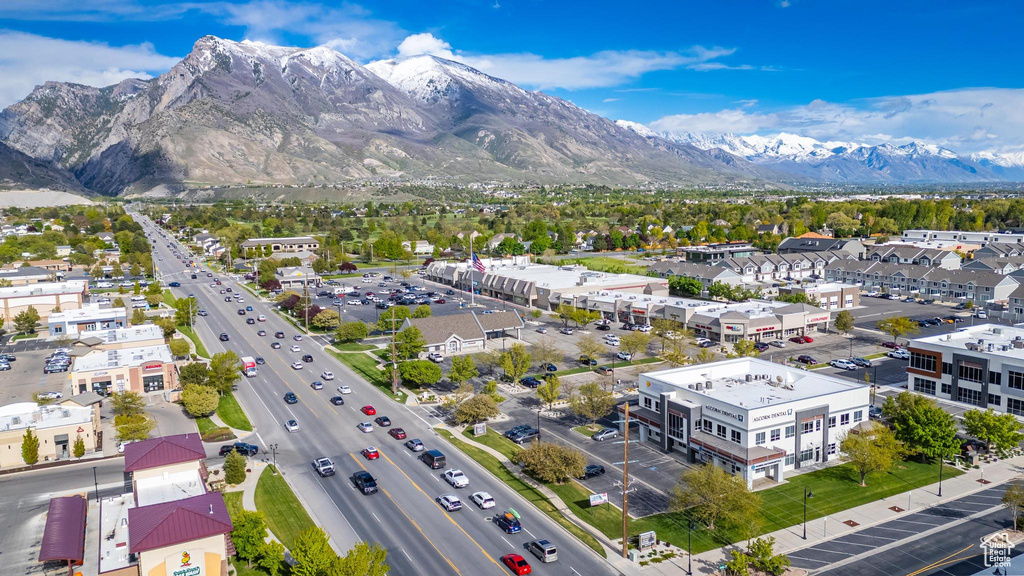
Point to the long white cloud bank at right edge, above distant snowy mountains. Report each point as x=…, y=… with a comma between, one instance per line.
x=965, y=120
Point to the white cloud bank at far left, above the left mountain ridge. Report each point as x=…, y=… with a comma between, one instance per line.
x=29, y=61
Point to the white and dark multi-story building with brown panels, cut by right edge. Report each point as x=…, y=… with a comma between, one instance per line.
x=982, y=365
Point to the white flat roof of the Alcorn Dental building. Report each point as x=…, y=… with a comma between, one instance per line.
x=771, y=384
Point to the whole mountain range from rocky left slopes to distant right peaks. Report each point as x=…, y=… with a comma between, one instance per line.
x=235, y=114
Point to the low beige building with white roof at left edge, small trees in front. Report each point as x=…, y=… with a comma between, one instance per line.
x=58, y=427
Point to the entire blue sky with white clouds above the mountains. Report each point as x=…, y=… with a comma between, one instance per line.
x=945, y=72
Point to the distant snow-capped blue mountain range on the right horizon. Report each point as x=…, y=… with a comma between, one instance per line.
x=850, y=162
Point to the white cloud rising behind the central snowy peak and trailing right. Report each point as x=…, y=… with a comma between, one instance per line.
x=609, y=68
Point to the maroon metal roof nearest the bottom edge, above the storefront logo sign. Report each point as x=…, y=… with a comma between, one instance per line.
x=177, y=522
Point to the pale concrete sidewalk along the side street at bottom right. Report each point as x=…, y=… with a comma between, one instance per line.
x=826, y=528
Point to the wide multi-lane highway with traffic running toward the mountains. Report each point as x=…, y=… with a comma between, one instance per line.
x=421, y=539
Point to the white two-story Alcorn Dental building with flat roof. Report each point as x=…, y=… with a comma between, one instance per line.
x=752, y=418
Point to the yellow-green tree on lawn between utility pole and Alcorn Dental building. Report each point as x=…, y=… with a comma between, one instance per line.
x=713, y=496
